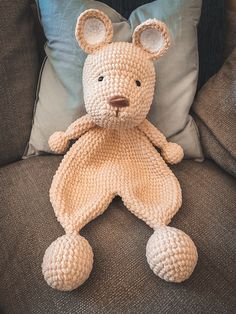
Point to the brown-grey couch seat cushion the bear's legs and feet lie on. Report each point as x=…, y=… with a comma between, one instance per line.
x=121, y=281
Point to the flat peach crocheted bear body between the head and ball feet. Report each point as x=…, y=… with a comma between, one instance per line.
x=105, y=163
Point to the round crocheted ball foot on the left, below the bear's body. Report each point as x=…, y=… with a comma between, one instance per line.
x=67, y=262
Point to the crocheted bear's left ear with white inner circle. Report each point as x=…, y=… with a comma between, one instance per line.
x=93, y=30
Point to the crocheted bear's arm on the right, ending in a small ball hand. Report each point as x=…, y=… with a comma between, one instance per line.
x=171, y=152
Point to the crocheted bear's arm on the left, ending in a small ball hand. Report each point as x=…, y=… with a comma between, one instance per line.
x=59, y=141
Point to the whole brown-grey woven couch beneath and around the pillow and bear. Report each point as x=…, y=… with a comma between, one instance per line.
x=121, y=280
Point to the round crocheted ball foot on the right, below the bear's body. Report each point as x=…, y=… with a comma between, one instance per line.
x=171, y=254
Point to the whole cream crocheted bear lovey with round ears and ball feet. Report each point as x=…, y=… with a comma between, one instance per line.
x=115, y=155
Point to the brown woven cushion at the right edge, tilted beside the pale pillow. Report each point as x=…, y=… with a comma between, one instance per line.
x=216, y=110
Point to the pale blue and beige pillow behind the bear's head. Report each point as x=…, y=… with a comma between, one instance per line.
x=60, y=94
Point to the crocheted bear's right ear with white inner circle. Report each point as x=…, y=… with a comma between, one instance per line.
x=153, y=37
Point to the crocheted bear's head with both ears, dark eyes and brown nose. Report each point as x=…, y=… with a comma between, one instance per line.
x=119, y=77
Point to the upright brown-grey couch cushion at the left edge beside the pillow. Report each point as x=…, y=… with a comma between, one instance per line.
x=18, y=73
